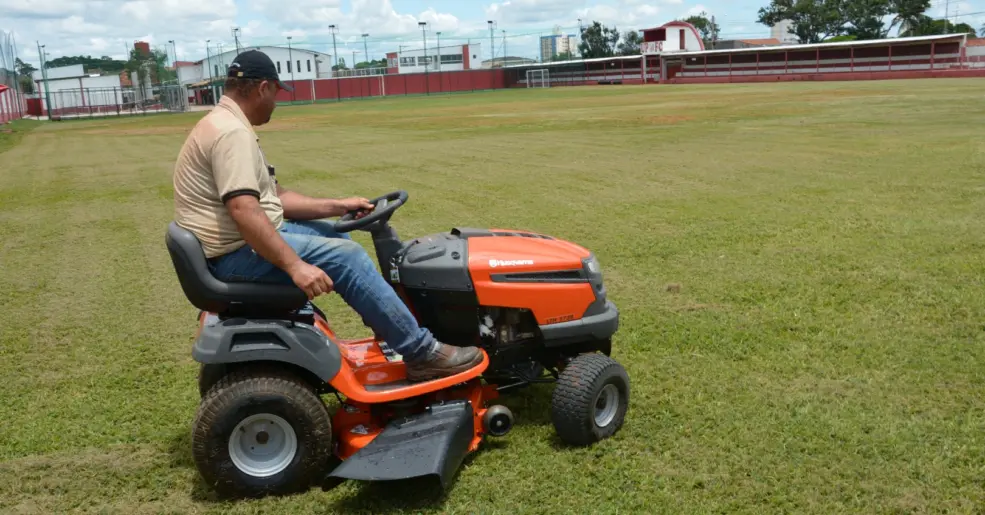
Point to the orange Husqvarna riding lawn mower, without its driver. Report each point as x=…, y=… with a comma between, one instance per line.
x=535, y=305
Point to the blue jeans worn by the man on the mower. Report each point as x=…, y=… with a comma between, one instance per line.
x=354, y=276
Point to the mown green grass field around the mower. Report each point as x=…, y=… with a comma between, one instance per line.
x=800, y=270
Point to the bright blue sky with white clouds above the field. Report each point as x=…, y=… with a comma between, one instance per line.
x=109, y=27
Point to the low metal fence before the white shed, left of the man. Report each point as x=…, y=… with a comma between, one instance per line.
x=122, y=101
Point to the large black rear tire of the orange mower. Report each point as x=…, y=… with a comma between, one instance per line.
x=261, y=390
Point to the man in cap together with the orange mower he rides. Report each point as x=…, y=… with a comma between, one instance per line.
x=458, y=317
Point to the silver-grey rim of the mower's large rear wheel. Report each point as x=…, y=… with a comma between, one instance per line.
x=262, y=445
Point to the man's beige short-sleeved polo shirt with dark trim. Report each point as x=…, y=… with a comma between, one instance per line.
x=221, y=159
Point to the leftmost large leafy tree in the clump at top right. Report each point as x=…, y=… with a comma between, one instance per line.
x=813, y=21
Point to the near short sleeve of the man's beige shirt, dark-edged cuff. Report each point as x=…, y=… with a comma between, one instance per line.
x=234, y=158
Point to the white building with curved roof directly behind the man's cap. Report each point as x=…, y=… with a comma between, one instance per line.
x=292, y=64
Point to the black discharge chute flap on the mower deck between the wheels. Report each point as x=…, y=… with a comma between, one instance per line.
x=433, y=443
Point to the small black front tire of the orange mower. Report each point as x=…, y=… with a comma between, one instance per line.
x=573, y=405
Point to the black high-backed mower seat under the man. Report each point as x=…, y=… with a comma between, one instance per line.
x=207, y=293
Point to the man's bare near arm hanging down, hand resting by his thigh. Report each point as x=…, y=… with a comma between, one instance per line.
x=262, y=237
